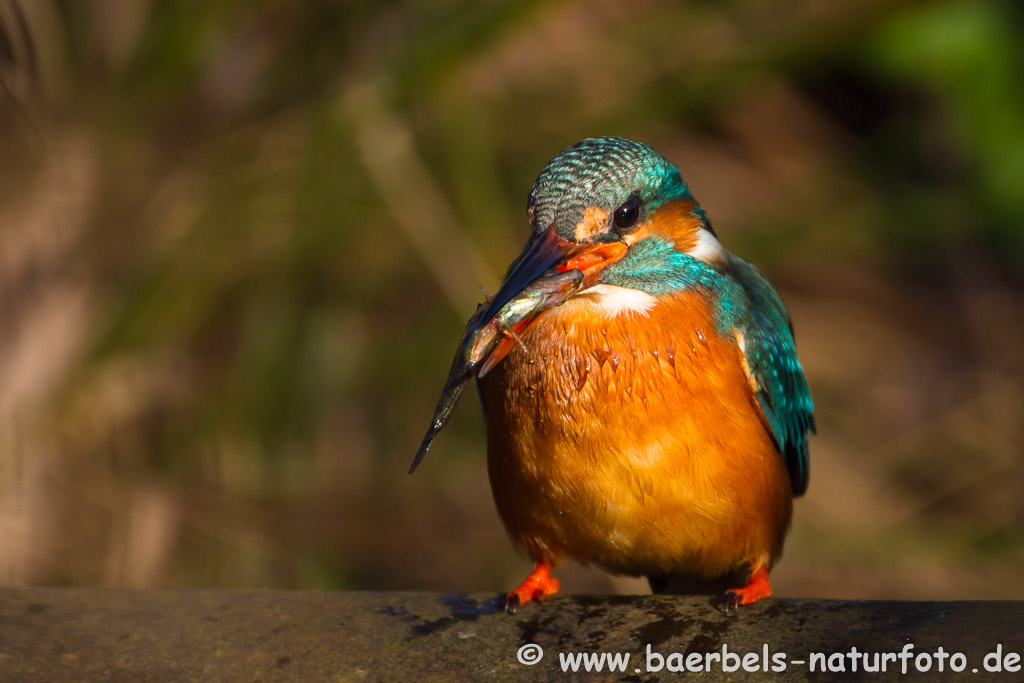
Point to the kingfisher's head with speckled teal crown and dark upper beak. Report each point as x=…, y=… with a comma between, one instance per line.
x=618, y=211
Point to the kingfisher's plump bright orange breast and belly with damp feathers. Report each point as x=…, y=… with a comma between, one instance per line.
x=634, y=443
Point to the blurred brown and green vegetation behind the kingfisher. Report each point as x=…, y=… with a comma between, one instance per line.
x=239, y=241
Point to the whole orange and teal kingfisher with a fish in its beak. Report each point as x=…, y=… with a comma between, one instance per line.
x=646, y=409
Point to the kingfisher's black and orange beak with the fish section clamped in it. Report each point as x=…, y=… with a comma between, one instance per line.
x=550, y=271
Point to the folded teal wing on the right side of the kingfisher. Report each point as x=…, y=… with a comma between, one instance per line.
x=772, y=354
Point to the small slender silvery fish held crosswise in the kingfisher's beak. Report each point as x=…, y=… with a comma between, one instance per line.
x=486, y=343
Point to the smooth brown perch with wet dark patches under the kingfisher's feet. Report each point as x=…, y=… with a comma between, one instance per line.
x=106, y=634
